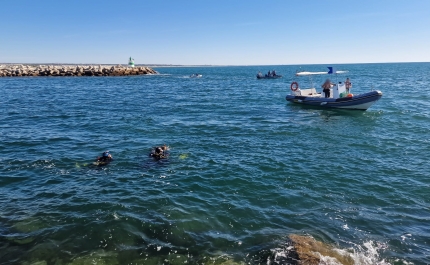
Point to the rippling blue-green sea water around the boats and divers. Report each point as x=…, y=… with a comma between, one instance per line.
x=246, y=168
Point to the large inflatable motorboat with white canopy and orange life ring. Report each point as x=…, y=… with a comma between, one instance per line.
x=339, y=98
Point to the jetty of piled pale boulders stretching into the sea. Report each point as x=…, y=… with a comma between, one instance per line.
x=72, y=70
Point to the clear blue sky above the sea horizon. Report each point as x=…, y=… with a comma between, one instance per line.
x=221, y=32
